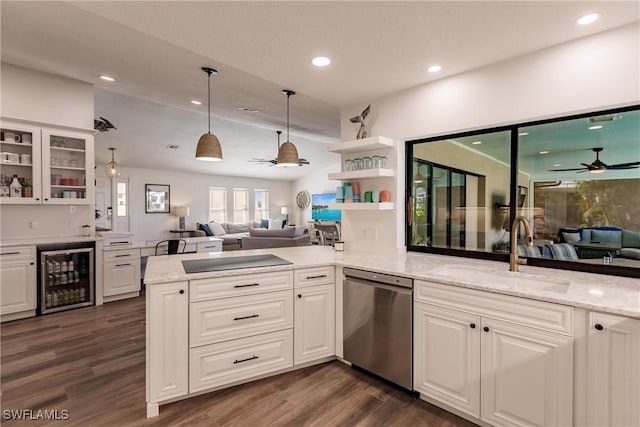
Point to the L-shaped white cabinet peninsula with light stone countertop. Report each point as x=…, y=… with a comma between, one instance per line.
x=212, y=330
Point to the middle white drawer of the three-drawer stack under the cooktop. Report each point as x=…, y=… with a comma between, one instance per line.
x=230, y=318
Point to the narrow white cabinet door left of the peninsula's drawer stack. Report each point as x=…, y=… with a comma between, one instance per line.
x=167, y=343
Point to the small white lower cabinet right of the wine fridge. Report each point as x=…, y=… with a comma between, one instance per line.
x=121, y=274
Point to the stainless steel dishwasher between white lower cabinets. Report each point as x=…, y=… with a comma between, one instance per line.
x=378, y=324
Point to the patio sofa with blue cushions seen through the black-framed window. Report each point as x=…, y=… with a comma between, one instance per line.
x=622, y=243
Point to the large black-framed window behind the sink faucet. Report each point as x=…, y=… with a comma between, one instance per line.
x=575, y=179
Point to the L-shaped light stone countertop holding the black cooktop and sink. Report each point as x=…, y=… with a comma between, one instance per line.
x=608, y=294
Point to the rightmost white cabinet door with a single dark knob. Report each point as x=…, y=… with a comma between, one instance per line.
x=613, y=371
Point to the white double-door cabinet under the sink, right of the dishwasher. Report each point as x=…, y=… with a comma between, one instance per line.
x=497, y=358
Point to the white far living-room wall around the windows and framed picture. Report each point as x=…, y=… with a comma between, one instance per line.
x=190, y=190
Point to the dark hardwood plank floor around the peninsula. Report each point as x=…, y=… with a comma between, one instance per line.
x=89, y=365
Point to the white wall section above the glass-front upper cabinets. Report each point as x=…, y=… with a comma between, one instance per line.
x=45, y=98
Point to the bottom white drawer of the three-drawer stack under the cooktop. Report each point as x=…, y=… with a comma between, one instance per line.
x=224, y=363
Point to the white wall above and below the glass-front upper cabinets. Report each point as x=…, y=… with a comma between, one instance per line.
x=44, y=99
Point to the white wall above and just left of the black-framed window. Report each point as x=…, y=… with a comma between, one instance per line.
x=590, y=74
